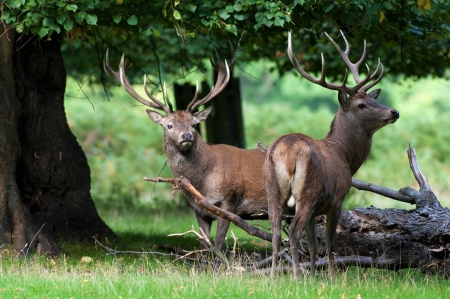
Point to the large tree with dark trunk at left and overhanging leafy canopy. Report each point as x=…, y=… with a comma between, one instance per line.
x=44, y=176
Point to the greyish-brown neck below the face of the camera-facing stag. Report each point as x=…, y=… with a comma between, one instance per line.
x=191, y=163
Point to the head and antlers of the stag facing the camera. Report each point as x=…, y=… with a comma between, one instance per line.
x=179, y=126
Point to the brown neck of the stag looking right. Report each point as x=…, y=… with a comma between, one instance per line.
x=350, y=140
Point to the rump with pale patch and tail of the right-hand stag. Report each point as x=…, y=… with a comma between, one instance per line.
x=296, y=161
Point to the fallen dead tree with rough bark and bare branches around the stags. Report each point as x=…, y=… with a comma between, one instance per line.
x=372, y=237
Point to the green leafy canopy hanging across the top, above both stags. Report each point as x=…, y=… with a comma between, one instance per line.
x=410, y=36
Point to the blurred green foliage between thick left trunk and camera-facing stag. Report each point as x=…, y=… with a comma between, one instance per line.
x=122, y=146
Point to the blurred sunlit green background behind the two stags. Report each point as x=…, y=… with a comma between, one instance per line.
x=123, y=145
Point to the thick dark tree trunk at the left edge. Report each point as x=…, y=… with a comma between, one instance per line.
x=44, y=175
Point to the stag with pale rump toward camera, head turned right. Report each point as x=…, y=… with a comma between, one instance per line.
x=312, y=177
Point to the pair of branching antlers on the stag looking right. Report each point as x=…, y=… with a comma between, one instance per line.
x=354, y=69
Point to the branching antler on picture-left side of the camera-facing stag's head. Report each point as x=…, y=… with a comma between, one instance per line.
x=122, y=79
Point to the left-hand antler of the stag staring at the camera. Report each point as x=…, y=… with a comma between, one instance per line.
x=122, y=79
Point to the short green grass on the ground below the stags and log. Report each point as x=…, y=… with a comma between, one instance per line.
x=87, y=271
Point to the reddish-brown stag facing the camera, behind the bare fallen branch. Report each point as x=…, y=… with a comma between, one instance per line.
x=229, y=177
